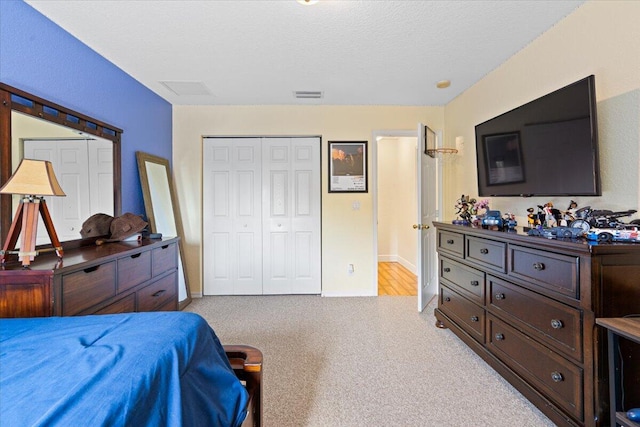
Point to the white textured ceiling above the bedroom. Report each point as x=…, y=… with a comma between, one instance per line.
x=261, y=52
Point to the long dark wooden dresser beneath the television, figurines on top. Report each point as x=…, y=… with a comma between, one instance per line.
x=527, y=305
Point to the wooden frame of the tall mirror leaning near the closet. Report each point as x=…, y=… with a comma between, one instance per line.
x=143, y=159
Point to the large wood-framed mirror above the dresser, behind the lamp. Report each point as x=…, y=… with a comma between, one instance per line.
x=32, y=127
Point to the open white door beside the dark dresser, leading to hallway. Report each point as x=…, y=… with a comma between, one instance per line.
x=427, y=212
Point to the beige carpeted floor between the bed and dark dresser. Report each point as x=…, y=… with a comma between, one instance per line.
x=370, y=361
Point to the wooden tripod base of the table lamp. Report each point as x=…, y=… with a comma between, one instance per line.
x=25, y=222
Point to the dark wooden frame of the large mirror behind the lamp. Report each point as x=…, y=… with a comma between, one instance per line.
x=12, y=99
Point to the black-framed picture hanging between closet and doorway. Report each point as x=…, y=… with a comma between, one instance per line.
x=348, y=167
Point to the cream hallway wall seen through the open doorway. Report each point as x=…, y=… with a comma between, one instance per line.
x=397, y=201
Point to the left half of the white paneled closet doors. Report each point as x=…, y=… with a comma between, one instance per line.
x=232, y=220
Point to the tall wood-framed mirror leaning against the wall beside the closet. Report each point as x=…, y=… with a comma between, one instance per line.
x=162, y=210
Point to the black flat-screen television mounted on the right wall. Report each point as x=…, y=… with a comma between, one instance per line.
x=547, y=147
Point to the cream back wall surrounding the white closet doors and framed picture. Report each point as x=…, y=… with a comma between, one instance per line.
x=347, y=234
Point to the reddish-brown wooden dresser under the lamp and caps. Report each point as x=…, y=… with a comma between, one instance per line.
x=112, y=278
